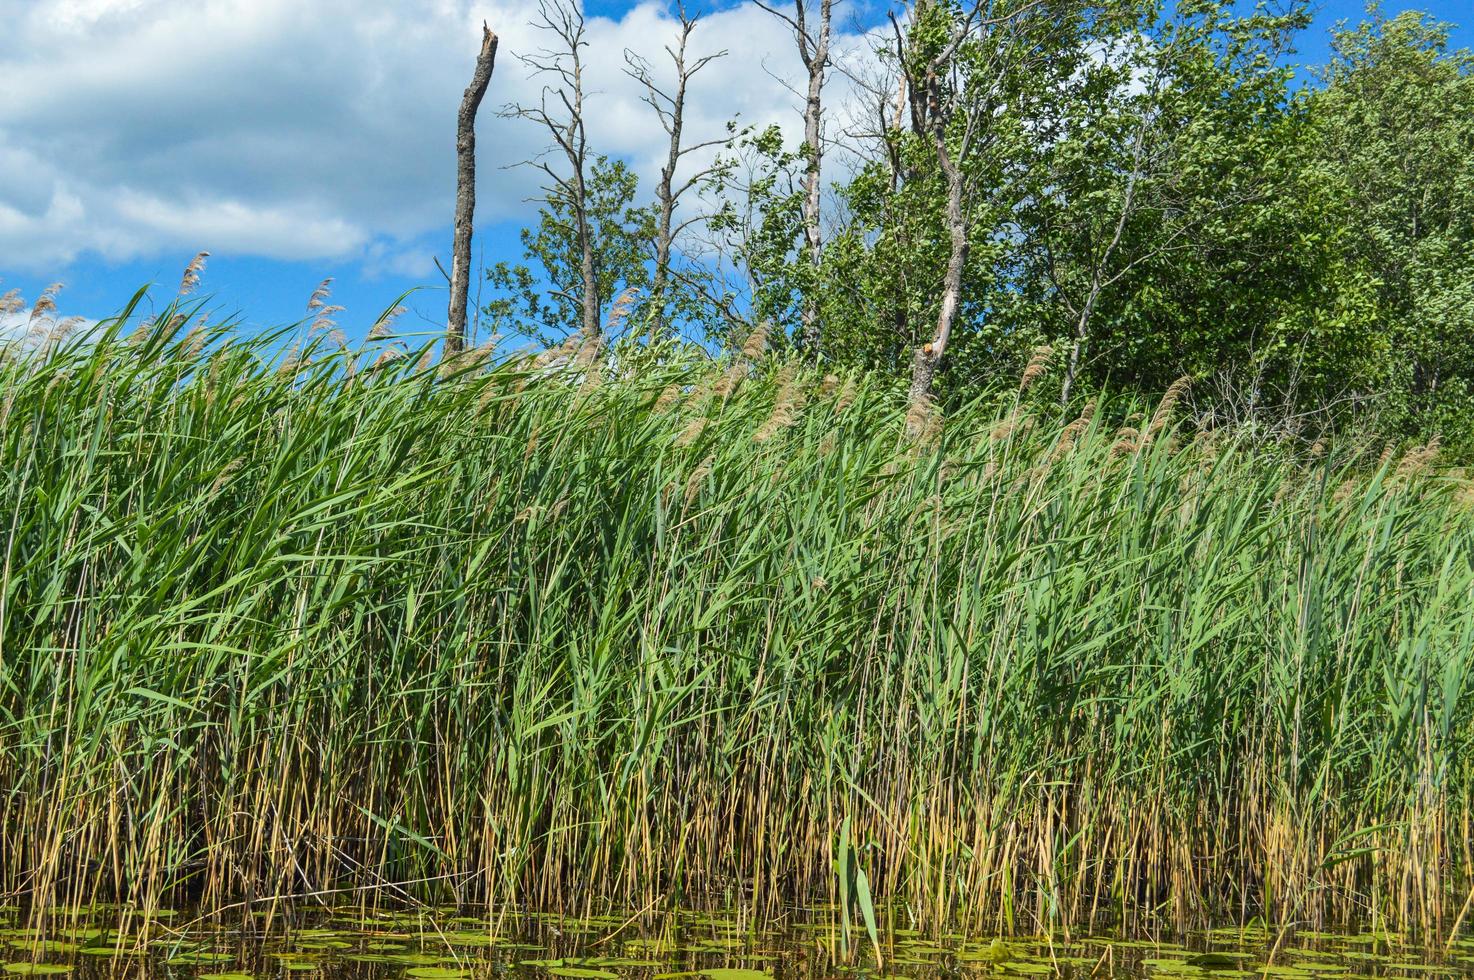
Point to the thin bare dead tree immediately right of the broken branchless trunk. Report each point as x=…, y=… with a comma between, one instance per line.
x=561, y=113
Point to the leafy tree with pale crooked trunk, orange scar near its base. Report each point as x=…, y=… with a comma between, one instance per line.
x=921, y=272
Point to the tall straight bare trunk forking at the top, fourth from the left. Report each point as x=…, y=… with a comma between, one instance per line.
x=814, y=52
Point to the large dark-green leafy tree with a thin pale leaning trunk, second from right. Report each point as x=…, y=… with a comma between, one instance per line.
x=1156, y=155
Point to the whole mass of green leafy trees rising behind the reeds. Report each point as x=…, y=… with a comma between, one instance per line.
x=1153, y=189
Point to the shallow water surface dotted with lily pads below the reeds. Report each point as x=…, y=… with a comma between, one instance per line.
x=107, y=942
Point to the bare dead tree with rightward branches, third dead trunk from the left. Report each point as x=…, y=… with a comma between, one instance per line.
x=670, y=108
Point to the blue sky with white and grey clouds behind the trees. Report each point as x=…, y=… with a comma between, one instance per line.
x=309, y=141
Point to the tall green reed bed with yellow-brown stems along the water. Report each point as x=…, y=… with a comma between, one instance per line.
x=635, y=631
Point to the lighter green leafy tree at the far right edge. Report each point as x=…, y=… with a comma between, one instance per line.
x=1395, y=126
